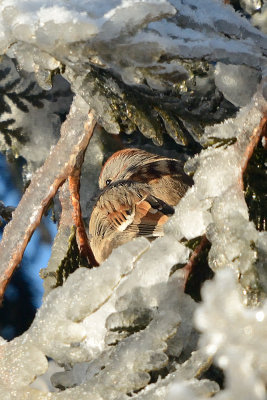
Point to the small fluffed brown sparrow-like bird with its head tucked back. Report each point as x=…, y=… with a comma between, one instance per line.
x=138, y=190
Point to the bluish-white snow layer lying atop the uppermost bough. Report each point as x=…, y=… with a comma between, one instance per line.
x=48, y=26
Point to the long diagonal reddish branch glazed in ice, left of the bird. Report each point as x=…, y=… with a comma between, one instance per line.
x=76, y=132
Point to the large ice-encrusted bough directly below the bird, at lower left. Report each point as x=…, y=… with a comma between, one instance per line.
x=63, y=329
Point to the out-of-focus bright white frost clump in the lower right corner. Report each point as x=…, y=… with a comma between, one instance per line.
x=222, y=308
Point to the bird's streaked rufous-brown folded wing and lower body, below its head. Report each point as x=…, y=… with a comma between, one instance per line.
x=123, y=211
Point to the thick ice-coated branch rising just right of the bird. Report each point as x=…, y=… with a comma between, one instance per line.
x=216, y=203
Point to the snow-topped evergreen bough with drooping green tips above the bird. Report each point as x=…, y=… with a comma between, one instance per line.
x=117, y=55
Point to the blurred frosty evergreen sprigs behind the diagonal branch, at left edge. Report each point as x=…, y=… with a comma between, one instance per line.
x=29, y=114
